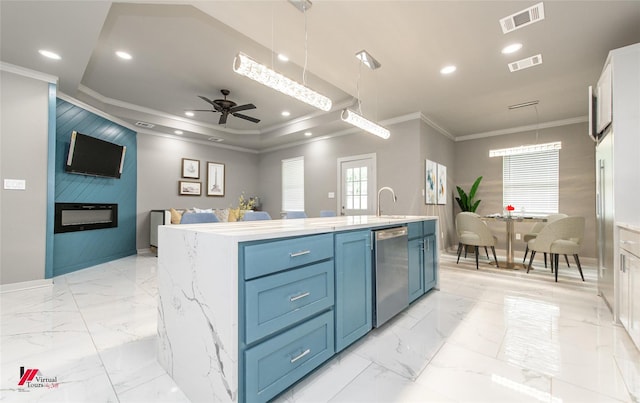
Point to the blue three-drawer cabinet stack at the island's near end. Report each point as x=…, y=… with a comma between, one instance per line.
x=285, y=312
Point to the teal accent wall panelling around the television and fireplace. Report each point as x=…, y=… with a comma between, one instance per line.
x=76, y=250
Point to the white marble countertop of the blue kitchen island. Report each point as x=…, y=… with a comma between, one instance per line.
x=254, y=230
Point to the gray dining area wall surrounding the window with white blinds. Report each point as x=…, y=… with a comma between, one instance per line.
x=577, y=176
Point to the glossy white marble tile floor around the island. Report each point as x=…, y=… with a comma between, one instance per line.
x=489, y=335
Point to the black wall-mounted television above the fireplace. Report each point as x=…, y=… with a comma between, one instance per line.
x=91, y=156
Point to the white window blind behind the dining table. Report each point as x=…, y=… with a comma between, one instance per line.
x=530, y=182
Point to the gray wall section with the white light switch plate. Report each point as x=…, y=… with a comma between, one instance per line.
x=23, y=155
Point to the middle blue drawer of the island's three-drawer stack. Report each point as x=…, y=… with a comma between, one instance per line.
x=279, y=300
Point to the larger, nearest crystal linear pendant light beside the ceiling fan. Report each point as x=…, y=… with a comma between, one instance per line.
x=248, y=67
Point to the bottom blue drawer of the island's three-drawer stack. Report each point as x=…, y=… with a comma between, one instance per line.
x=274, y=365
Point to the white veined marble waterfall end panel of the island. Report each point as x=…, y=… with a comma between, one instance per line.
x=197, y=318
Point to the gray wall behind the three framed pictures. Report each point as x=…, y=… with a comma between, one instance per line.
x=159, y=170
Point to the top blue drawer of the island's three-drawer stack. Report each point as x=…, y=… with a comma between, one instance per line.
x=270, y=257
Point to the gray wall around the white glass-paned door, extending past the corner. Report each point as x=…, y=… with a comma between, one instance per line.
x=400, y=165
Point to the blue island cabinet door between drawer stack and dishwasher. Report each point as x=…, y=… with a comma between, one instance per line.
x=353, y=286
